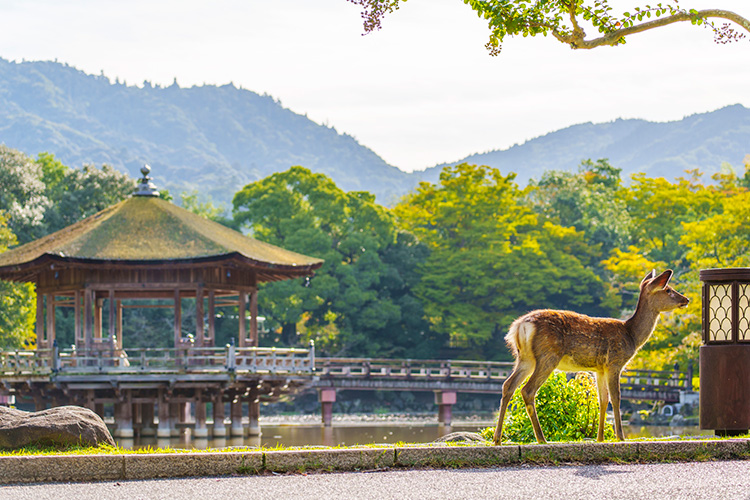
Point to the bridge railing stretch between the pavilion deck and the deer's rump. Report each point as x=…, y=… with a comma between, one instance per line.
x=412, y=369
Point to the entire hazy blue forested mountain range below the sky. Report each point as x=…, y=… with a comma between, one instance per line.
x=217, y=139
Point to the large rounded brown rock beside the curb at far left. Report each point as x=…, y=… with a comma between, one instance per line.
x=61, y=426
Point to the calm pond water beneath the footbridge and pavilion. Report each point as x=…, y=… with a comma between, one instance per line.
x=353, y=432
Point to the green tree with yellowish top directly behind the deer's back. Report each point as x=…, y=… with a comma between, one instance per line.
x=492, y=258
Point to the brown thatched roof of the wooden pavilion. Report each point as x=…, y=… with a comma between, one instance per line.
x=147, y=230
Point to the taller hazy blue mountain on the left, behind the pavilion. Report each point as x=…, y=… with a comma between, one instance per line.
x=209, y=138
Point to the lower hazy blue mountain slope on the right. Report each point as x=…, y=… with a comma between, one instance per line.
x=665, y=149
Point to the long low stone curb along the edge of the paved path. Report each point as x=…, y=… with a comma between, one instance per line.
x=91, y=468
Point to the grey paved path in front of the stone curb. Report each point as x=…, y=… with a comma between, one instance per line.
x=725, y=480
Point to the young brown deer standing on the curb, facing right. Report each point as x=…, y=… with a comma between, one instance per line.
x=544, y=340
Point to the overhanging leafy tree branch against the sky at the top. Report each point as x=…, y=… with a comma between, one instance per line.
x=567, y=20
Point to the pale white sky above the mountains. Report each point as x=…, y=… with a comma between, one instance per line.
x=421, y=91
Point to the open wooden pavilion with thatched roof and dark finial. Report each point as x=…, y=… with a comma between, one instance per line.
x=137, y=253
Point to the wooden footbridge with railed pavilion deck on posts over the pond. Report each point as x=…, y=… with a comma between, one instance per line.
x=172, y=381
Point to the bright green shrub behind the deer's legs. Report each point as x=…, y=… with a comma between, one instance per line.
x=568, y=411
